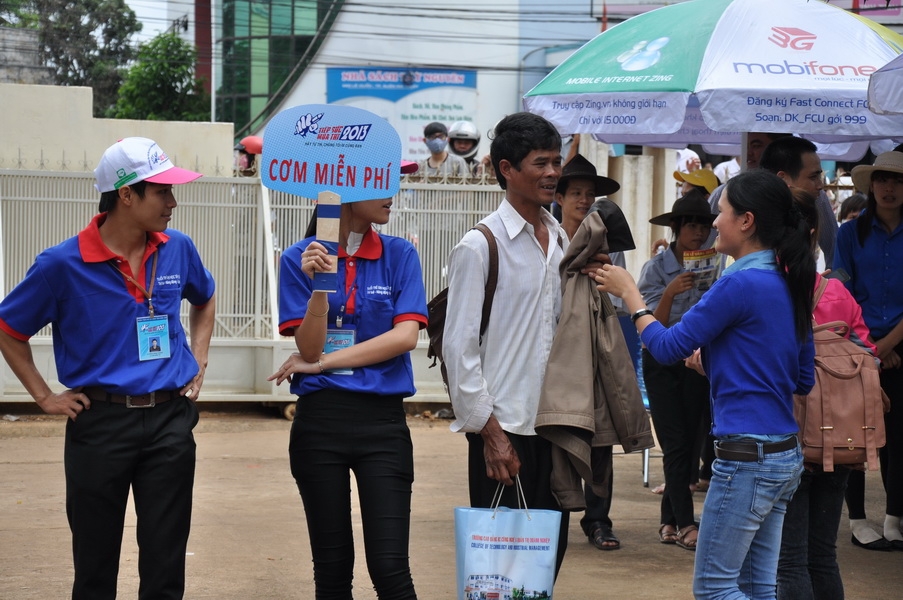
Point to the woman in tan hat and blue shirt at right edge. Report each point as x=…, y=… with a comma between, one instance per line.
x=869, y=249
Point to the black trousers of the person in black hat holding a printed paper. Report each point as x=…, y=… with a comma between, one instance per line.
x=679, y=402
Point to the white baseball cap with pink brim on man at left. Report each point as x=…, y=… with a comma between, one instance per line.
x=131, y=160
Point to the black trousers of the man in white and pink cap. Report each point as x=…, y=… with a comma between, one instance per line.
x=110, y=449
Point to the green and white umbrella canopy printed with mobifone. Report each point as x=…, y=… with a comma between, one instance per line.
x=753, y=65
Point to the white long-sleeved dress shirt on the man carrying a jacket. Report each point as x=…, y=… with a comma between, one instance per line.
x=502, y=376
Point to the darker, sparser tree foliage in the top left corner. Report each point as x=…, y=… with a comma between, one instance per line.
x=85, y=42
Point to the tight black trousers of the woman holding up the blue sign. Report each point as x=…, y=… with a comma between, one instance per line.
x=334, y=434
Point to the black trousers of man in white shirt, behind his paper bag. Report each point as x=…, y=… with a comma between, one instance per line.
x=535, y=455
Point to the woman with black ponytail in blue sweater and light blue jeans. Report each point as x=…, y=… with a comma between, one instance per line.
x=754, y=329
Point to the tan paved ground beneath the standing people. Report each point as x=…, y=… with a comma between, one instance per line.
x=249, y=538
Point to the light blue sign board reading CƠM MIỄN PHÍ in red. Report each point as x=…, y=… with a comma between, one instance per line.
x=313, y=148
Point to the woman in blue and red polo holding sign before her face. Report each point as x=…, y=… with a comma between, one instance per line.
x=349, y=414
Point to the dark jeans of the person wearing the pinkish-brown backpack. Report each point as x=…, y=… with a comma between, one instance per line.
x=807, y=568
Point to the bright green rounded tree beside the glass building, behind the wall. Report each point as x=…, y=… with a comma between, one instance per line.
x=161, y=85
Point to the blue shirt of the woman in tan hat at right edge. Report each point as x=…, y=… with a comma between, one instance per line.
x=876, y=275
